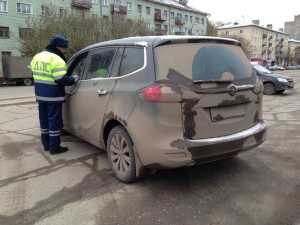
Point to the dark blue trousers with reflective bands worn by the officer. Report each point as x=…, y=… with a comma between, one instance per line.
x=51, y=124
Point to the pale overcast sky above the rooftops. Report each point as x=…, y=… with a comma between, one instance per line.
x=267, y=12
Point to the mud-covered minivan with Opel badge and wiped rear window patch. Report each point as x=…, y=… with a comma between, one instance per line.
x=164, y=102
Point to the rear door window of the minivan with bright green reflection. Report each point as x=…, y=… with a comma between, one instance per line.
x=100, y=63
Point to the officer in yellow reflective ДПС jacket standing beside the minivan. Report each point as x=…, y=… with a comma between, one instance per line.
x=49, y=72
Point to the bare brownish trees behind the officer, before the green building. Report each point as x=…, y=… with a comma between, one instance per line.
x=80, y=31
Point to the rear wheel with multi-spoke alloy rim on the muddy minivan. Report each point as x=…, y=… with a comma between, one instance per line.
x=121, y=155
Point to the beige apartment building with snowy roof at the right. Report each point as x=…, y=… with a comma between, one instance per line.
x=265, y=42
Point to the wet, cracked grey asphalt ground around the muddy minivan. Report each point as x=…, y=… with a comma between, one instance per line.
x=258, y=187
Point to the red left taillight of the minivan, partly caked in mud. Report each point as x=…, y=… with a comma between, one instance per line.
x=160, y=93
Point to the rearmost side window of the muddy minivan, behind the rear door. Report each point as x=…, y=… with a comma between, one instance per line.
x=132, y=60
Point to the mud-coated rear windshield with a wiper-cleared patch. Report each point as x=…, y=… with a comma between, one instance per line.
x=201, y=61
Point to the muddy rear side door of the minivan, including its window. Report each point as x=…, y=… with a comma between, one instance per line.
x=91, y=96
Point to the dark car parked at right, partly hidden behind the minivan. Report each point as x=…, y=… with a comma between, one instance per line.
x=273, y=83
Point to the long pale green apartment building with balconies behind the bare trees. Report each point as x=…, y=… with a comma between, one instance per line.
x=163, y=16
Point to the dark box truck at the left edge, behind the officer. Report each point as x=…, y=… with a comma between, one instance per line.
x=16, y=71
